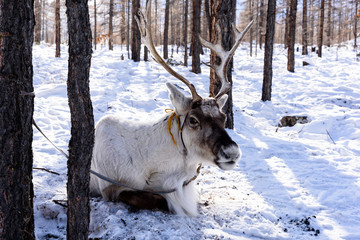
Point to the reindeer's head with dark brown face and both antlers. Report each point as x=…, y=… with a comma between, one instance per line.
x=203, y=127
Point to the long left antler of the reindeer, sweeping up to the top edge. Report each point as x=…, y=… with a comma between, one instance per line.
x=146, y=39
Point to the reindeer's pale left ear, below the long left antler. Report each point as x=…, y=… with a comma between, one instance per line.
x=178, y=99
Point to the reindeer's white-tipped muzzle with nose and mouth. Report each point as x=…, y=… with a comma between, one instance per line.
x=228, y=156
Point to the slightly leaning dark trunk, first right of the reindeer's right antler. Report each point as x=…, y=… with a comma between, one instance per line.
x=269, y=43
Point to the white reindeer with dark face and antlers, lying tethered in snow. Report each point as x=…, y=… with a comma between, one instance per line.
x=158, y=162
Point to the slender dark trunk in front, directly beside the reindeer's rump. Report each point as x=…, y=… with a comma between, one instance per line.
x=82, y=119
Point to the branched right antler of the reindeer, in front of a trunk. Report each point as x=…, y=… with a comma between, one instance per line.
x=225, y=56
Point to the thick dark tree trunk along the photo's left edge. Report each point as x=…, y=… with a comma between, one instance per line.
x=16, y=112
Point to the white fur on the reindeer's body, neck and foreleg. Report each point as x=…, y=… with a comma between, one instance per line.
x=144, y=156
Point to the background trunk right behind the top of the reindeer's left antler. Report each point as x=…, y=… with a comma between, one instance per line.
x=136, y=38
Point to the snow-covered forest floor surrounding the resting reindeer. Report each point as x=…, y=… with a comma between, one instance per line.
x=300, y=182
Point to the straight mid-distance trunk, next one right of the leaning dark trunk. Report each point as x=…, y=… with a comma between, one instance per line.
x=291, y=36
